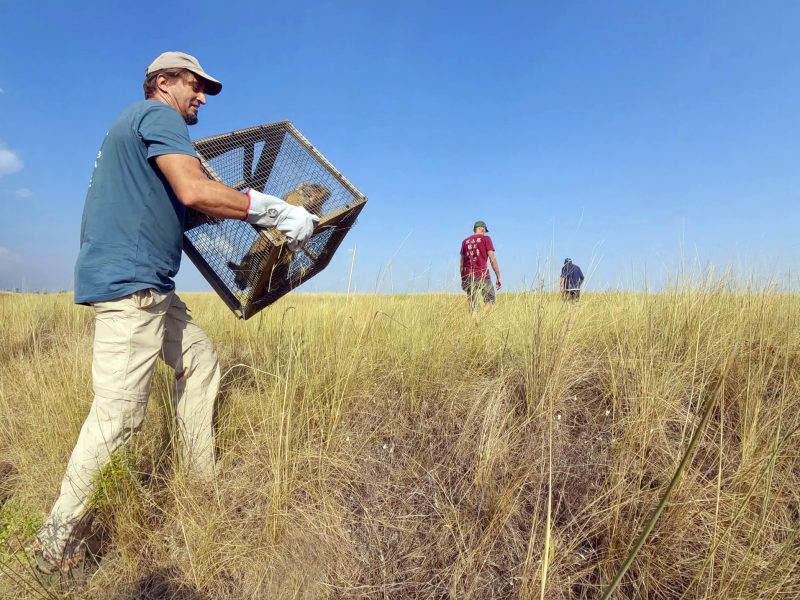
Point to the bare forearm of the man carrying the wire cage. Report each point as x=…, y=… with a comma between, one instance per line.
x=195, y=190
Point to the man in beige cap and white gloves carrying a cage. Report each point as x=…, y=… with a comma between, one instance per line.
x=145, y=175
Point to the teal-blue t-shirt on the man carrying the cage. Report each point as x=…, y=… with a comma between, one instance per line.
x=132, y=227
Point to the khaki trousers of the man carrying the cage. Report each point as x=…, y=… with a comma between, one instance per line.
x=130, y=334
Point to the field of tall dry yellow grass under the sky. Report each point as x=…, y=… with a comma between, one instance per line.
x=391, y=447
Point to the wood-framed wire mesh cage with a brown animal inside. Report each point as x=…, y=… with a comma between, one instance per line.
x=250, y=267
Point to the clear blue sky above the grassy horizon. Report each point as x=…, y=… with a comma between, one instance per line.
x=630, y=136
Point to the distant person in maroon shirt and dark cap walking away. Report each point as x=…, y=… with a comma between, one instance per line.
x=476, y=251
